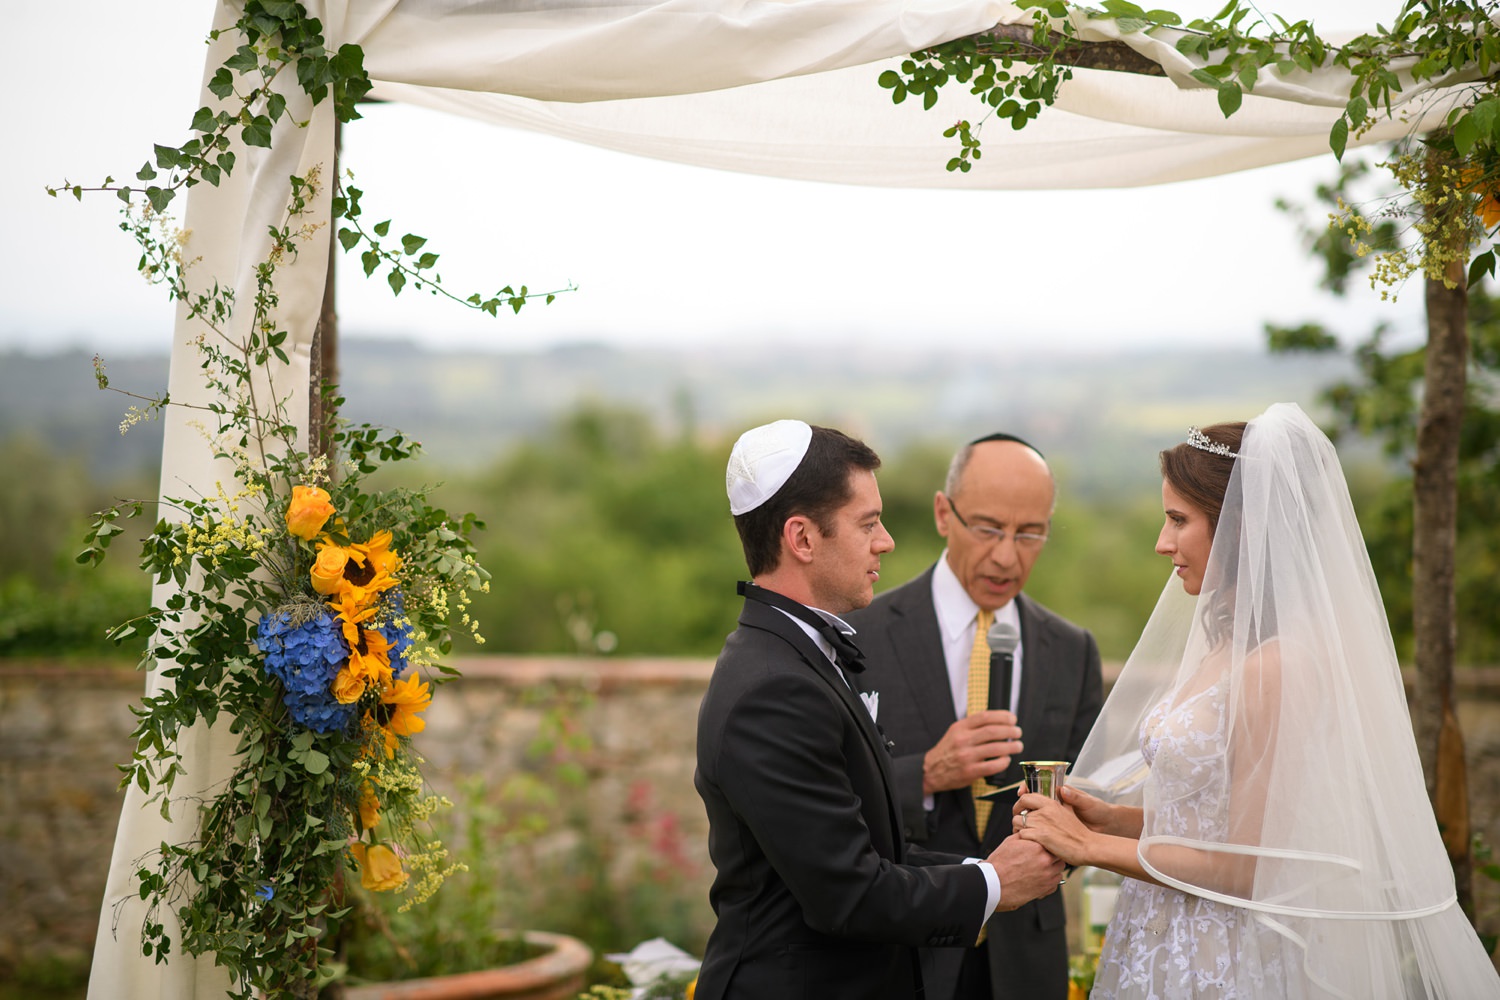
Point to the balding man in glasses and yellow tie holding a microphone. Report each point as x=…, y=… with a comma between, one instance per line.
x=961, y=723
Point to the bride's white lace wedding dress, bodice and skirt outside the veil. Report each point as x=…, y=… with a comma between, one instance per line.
x=1165, y=944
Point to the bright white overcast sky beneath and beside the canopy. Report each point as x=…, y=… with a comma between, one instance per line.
x=662, y=254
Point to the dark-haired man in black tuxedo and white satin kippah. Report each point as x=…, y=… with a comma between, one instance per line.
x=817, y=891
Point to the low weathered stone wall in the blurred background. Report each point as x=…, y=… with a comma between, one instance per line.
x=626, y=728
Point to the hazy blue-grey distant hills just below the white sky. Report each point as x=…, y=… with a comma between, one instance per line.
x=1100, y=419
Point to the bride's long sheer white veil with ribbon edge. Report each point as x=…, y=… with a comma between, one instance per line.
x=1310, y=806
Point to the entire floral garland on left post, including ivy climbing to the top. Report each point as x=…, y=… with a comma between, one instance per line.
x=299, y=611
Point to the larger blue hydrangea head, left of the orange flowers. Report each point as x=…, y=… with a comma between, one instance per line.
x=307, y=659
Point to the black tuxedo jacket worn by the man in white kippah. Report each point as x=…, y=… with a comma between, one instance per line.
x=817, y=893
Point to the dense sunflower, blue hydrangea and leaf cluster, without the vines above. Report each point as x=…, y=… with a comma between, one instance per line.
x=310, y=615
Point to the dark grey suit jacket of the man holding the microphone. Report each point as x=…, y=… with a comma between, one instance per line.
x=1060, y=699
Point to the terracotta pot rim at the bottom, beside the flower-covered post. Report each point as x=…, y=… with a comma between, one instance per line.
x=557, y=975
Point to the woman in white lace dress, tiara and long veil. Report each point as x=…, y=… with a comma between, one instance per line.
x=1255, y=774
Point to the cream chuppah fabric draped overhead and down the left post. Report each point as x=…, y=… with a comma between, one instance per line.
x=784, y=88
